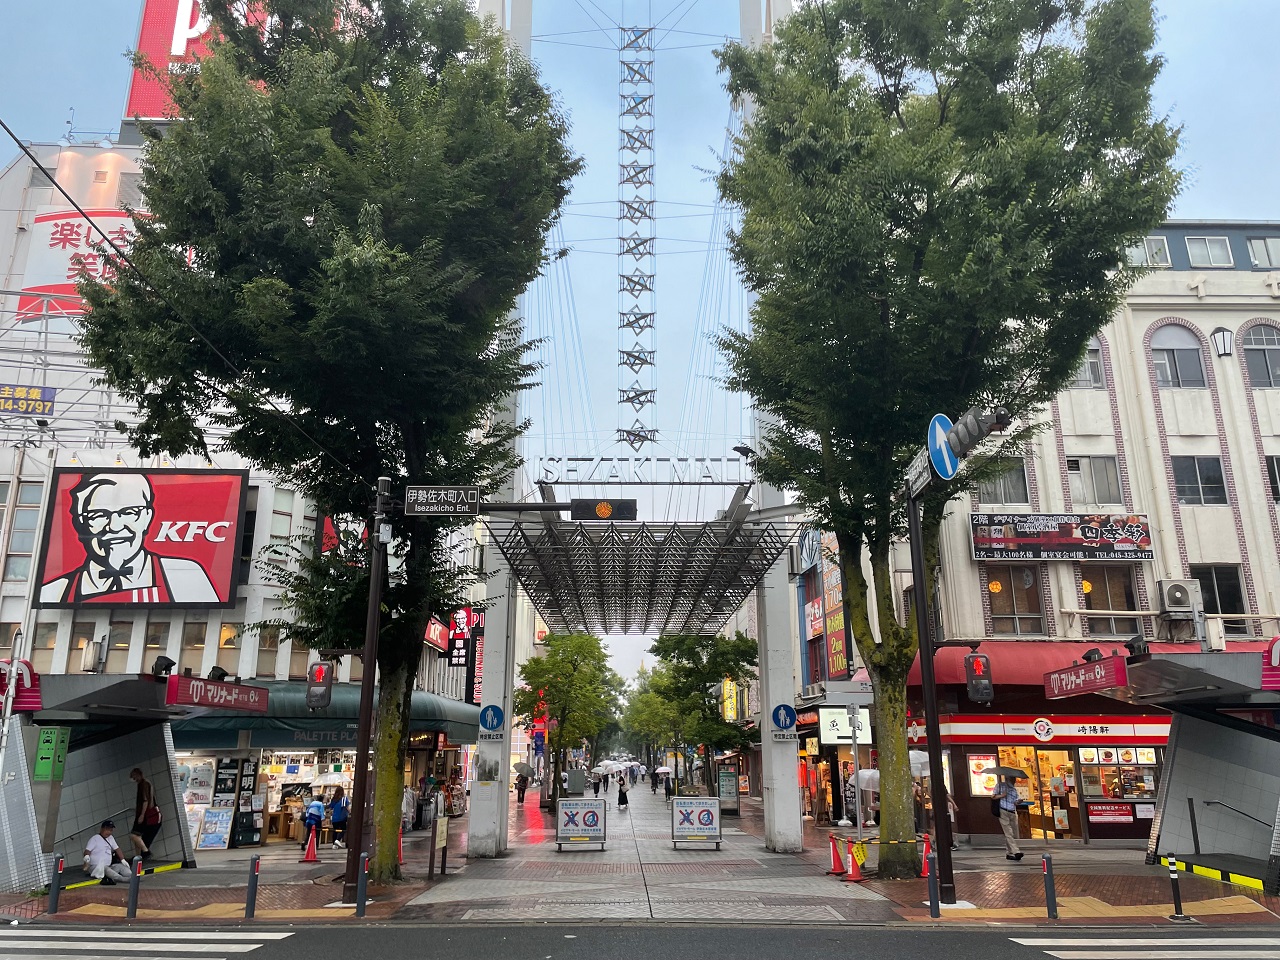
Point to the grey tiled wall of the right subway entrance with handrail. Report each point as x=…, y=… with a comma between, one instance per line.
x=1218, y=764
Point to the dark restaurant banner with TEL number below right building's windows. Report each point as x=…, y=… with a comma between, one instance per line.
x=1076, y=537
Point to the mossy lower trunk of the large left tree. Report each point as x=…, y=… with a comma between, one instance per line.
x=395, y=689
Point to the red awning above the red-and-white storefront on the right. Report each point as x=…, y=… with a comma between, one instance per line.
x=1026, y=662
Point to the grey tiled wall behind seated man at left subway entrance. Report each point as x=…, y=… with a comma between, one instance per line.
x=97, y=785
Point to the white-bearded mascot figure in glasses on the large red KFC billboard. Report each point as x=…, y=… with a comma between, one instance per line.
x=112, y=515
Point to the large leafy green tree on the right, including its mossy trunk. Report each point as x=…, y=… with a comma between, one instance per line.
x=936, y=199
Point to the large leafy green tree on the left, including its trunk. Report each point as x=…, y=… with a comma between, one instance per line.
x=337, y=232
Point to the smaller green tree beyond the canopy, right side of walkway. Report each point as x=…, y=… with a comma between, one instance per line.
x=696, y=668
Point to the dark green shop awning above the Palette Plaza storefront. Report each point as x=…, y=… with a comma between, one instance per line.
x=335, y=726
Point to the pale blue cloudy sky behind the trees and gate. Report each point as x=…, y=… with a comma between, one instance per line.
x=57, y=56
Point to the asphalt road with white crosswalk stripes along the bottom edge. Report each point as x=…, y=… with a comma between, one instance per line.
x=605, y=941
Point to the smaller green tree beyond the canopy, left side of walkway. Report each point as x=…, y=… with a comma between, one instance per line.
x=574, y=687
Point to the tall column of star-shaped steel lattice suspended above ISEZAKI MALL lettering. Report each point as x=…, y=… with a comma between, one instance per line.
x=638, y=237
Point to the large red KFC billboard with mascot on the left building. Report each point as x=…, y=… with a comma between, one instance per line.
x=143, y=538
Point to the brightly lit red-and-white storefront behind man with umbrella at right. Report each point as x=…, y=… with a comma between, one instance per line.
x=1089, y=778
